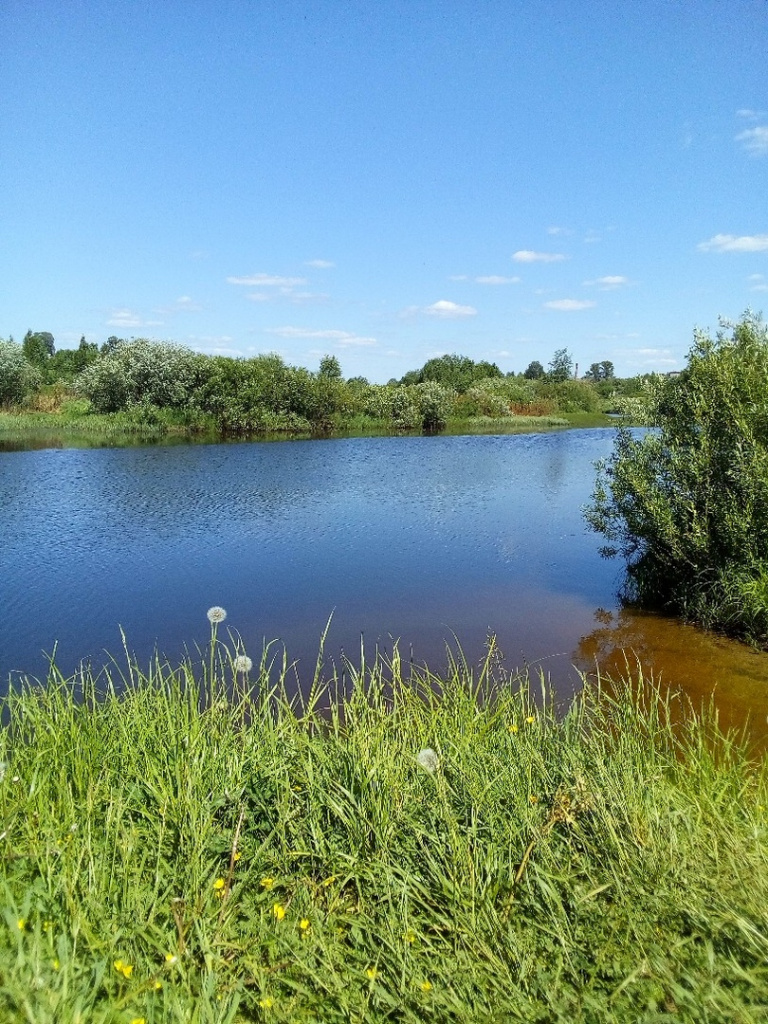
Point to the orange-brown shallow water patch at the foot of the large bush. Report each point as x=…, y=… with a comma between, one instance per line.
x=676, y=655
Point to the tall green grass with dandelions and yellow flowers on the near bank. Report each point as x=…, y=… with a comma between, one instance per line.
x=421, y=854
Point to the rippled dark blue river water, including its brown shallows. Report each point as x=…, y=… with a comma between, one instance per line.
x=412, y=539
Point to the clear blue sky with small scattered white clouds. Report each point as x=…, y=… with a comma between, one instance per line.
x=388, y=181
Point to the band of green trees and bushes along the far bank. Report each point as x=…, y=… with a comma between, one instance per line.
x=265, y=396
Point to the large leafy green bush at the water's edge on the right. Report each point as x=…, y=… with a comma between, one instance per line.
x=688, y=505
